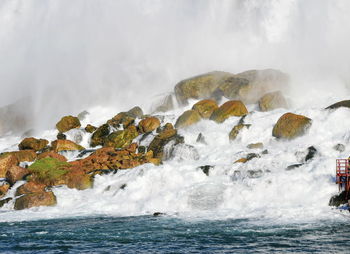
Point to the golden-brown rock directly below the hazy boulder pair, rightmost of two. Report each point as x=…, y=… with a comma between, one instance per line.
x=228, y=109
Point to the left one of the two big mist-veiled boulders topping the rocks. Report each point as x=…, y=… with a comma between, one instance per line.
x=199, y=87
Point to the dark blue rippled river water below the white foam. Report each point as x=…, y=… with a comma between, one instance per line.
x=148, y=234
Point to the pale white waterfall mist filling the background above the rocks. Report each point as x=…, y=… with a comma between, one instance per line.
x=70, y=55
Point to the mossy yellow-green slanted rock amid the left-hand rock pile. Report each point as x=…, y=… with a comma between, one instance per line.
x=121, y=138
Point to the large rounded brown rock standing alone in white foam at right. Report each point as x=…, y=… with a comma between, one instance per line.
x=290, y=126
